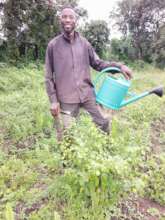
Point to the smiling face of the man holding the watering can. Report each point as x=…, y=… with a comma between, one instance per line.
x=68, y=20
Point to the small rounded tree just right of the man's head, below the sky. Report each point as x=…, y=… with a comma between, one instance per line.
x=97, y=33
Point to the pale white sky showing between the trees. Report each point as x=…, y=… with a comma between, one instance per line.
x=99, y=10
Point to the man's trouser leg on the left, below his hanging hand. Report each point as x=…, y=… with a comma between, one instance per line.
x=65, y=119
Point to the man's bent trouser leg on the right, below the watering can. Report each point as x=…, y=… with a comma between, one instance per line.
x=97, y=117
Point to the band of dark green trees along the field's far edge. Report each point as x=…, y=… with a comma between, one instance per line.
x=28, y=26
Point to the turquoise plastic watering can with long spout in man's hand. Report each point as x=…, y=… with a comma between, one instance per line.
x=113, y=90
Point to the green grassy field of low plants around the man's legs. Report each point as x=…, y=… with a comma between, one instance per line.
x=89, y=174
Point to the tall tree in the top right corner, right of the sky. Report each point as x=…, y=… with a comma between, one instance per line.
x=141, y=19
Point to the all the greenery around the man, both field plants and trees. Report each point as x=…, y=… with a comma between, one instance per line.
x=89, y=175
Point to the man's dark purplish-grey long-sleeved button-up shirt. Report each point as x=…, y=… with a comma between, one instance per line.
x=67, y=66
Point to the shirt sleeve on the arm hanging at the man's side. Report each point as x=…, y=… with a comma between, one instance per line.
x=49, y=79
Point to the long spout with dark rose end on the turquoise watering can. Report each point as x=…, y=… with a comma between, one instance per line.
x=157, y=91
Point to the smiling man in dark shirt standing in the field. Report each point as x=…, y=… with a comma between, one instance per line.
x=68, y=83
